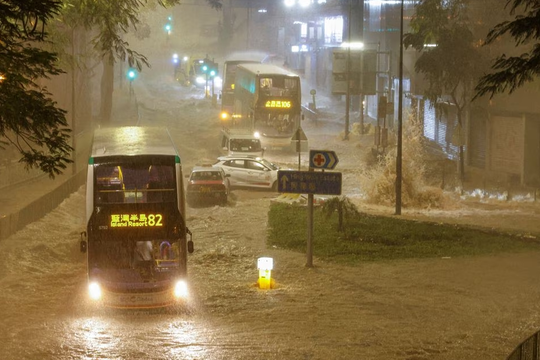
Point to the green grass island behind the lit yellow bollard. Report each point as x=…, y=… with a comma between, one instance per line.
x=376, y=238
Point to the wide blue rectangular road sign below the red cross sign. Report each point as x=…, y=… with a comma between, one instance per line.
x=309, y=182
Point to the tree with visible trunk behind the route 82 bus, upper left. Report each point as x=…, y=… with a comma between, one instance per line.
x=111, y=20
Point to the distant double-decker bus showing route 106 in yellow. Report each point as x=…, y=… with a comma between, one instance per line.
x=267, y=98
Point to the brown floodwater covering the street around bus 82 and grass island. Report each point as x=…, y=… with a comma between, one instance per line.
x=449, y=309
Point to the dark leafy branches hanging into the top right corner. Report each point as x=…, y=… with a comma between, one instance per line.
x=511, y=72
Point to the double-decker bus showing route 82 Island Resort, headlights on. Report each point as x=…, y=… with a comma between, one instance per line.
x=136, y=239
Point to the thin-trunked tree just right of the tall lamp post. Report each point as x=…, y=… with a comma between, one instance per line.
x=453, y=63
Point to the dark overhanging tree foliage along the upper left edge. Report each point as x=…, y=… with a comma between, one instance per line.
x=30, y=120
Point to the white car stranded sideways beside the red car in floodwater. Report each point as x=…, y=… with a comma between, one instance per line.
x=249, y=171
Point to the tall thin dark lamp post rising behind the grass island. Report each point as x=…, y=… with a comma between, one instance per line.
x=400, y=119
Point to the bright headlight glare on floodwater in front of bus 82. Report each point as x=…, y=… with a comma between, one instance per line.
x=134, y=335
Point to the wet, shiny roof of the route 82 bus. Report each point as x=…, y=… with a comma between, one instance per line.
x=132, y=140
